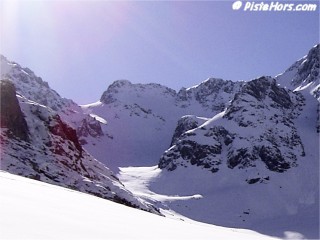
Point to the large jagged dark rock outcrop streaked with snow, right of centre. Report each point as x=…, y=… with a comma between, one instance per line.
x=257, y=126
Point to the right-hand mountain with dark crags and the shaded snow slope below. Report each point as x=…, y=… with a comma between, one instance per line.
x=256, y=161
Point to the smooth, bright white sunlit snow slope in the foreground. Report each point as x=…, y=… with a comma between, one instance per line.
x=34, y=210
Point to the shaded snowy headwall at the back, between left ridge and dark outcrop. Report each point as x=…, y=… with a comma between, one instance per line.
x=141, y=118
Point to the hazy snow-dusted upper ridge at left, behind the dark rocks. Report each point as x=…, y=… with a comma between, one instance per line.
x=32, y=87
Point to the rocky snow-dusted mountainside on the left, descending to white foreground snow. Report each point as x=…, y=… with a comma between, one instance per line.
x=37, y=143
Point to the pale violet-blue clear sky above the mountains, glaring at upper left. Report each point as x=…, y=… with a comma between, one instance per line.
x=81, y=47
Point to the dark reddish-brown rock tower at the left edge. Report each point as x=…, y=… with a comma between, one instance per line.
x=11, y=114
